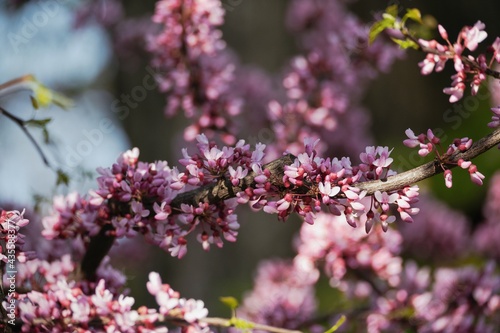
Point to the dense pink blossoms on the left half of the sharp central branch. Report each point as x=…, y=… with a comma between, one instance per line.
x=135, y=197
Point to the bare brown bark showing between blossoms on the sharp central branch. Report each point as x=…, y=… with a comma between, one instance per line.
x=223, y=190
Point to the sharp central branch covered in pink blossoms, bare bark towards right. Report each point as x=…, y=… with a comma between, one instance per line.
x=224, y=178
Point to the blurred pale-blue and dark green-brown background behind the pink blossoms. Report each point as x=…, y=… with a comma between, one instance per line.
x=99, y=60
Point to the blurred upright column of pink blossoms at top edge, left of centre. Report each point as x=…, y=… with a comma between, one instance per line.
x=197, y=72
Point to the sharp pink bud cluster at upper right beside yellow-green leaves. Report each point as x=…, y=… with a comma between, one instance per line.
x=438, y=54
